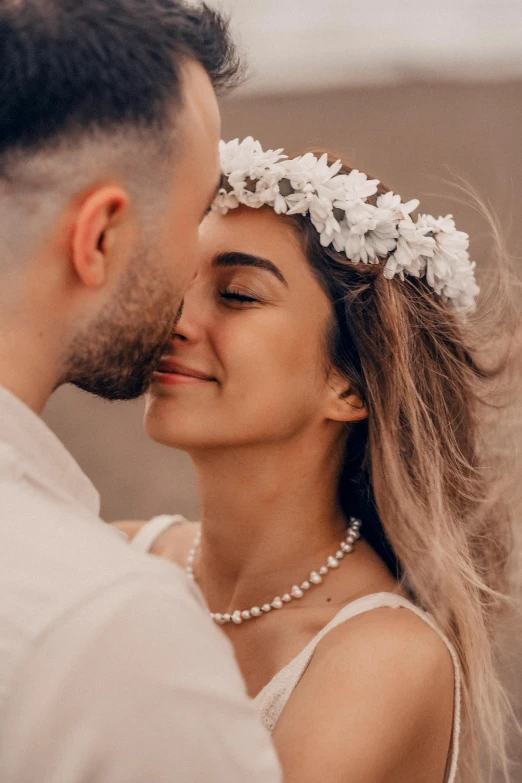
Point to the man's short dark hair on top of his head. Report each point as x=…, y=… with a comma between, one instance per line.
x=69, y=66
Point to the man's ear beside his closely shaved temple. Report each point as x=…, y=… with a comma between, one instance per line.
x=97, y=216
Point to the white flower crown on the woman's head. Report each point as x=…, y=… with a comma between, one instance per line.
x=338, y=208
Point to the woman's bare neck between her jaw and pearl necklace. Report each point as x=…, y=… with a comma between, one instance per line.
x=269, y=516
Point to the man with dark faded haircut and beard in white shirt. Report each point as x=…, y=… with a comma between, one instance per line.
x=110, y=670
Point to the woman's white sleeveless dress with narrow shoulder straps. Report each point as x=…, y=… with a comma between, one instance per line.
x=273, y=697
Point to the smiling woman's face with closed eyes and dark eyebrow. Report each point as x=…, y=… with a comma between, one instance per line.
x=253, y=328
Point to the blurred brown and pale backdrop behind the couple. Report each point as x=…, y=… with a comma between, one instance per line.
x=414, y=93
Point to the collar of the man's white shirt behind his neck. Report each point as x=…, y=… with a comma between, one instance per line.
x=41, y=455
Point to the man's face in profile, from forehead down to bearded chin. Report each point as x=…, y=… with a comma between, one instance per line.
x=116, y=356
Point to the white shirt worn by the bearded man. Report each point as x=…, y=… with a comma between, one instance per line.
x=111, y=670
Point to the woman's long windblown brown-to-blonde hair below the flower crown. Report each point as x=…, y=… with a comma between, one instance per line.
x=421, y=471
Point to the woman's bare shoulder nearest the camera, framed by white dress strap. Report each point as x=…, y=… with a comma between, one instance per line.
x=388, y=679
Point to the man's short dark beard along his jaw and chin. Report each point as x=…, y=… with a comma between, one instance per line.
x=116, y=355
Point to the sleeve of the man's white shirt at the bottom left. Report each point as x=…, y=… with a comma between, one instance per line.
x=138, y=685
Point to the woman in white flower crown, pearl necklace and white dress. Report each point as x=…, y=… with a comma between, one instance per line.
x=324, y=382
